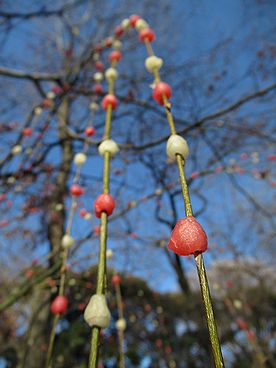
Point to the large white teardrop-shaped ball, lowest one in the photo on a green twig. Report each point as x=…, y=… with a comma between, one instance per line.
x=97, y=313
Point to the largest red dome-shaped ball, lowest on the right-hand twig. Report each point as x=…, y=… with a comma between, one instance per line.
x=188, y=238
